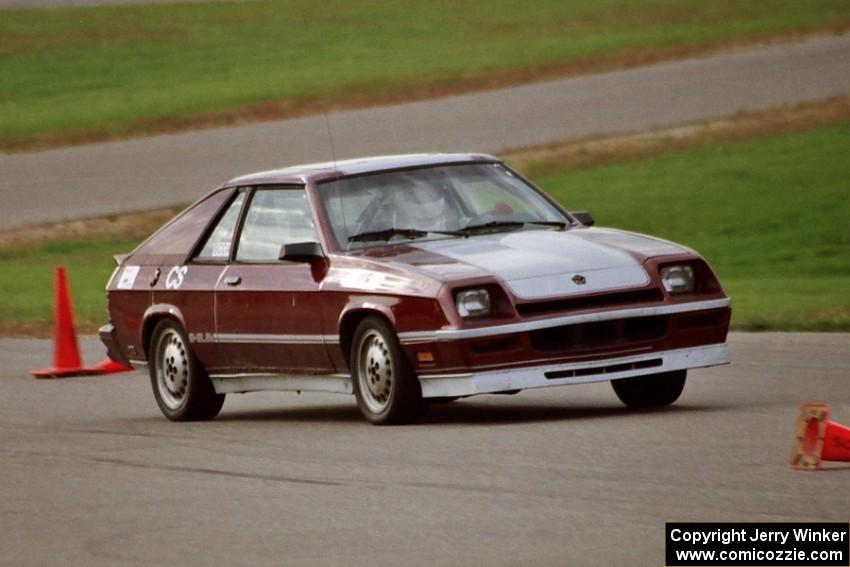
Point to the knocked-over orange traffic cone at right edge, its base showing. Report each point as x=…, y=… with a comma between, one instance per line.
x=818, y=439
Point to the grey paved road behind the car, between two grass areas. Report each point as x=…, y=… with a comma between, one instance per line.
x=167, y=170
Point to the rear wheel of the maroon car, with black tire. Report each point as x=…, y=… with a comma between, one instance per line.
x=181, y=387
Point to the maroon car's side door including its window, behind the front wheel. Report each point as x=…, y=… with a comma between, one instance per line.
x=269, y=311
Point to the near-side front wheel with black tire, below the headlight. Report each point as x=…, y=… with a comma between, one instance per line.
x=386, y=388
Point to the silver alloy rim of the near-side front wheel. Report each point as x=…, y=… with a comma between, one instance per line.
x=374, y=371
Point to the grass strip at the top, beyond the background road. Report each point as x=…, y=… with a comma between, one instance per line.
x=80, y=74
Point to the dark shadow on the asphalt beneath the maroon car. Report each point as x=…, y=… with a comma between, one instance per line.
x=462, y=412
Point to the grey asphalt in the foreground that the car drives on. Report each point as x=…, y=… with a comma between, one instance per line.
x=93, y=475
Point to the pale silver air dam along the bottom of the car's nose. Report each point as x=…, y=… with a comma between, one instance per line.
x=468, y=384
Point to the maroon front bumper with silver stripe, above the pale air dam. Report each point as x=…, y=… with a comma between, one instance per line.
x=568, y=339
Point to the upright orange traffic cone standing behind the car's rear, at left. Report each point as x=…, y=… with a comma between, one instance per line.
x=66, y=351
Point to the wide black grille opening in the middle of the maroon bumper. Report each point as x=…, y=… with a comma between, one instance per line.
x=599, y=334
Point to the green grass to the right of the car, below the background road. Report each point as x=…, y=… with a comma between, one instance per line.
x=771, y=215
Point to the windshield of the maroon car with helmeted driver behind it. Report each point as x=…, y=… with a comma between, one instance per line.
x=433, y=202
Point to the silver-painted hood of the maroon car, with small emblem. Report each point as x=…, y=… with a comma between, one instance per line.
x=537, y=264
